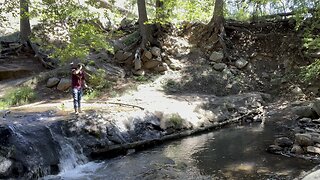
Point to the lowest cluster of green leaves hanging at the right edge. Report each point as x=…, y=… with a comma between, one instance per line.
x=311, y=71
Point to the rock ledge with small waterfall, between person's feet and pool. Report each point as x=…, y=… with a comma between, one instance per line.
x=35, y=145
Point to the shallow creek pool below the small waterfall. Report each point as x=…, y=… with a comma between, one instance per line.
x=232, y=153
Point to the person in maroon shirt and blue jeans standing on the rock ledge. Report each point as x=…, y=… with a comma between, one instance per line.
x=78, y=83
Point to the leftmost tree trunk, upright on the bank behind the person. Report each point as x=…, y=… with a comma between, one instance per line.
x=25, y=29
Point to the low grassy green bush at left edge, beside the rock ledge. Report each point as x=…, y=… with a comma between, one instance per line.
x=18, y=96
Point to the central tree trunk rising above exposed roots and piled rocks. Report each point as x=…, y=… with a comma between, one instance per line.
x=144, y=28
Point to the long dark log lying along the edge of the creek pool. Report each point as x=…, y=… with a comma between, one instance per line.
x=114, y=150
